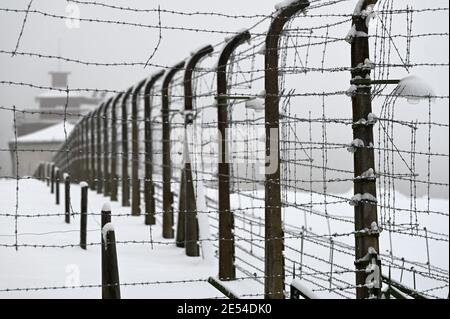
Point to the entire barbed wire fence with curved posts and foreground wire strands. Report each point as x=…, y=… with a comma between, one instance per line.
x=255, y=138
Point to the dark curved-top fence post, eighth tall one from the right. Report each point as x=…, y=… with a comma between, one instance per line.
x=125, y=175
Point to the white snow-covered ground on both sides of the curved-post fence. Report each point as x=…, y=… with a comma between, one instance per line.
x=140, y=263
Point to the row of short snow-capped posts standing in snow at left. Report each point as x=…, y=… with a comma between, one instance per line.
x=50, y=173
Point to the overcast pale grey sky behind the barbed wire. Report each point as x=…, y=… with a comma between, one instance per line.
x=97, y=42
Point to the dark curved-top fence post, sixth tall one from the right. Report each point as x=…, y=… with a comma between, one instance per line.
x=148, y=183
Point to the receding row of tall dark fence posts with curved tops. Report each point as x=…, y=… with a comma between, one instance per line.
x=82, y=153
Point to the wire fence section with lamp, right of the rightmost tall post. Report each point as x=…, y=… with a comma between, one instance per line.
x=409, y=159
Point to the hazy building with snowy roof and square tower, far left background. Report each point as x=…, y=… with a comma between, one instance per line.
x=41, y=131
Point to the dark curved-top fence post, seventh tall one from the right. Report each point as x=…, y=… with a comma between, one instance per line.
x=135, y=185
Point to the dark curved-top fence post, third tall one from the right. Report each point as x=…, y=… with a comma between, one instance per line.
x=227, y=270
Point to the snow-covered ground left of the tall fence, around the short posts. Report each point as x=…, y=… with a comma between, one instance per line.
x=44, y=267
